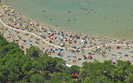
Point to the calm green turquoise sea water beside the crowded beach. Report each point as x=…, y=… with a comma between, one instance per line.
x=112, y=18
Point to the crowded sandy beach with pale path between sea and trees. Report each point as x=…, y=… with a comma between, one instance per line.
x=74, y=48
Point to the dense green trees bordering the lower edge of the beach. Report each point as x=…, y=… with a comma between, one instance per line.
x=37, y=67
